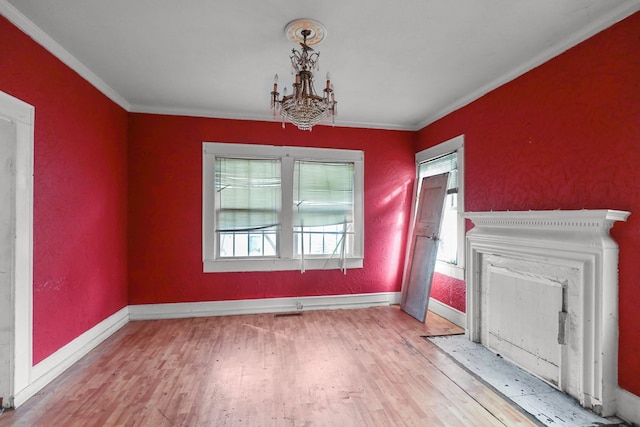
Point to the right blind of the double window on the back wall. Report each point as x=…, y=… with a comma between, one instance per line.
x=322, y=193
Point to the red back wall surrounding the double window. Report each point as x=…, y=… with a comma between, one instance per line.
x=165, y=210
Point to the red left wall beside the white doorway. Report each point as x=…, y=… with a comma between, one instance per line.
x=80, y=191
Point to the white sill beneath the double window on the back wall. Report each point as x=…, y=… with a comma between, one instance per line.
x=278, y=264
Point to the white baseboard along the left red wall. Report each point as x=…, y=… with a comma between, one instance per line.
x=49, y=369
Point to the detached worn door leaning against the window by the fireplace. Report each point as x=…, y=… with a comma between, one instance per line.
x=416, y=284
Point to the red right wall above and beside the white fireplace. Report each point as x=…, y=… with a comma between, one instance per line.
x=565, y=135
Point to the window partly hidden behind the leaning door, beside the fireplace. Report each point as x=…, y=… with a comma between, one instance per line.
x=447, y=157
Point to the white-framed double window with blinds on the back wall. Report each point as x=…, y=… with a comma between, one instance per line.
x=281, y=208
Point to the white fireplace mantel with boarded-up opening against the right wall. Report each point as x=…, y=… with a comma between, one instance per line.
x=571, y=257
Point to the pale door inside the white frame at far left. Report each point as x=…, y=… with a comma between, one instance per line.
x=7, y=233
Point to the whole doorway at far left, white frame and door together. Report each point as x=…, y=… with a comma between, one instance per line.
x=16, y=247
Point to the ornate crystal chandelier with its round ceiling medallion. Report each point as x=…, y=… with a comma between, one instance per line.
x=304, y=107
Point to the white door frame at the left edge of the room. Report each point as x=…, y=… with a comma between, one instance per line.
x=22, y=114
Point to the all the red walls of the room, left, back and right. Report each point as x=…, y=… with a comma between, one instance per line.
x=563, y=136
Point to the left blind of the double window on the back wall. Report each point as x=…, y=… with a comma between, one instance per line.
x=247, y=194
